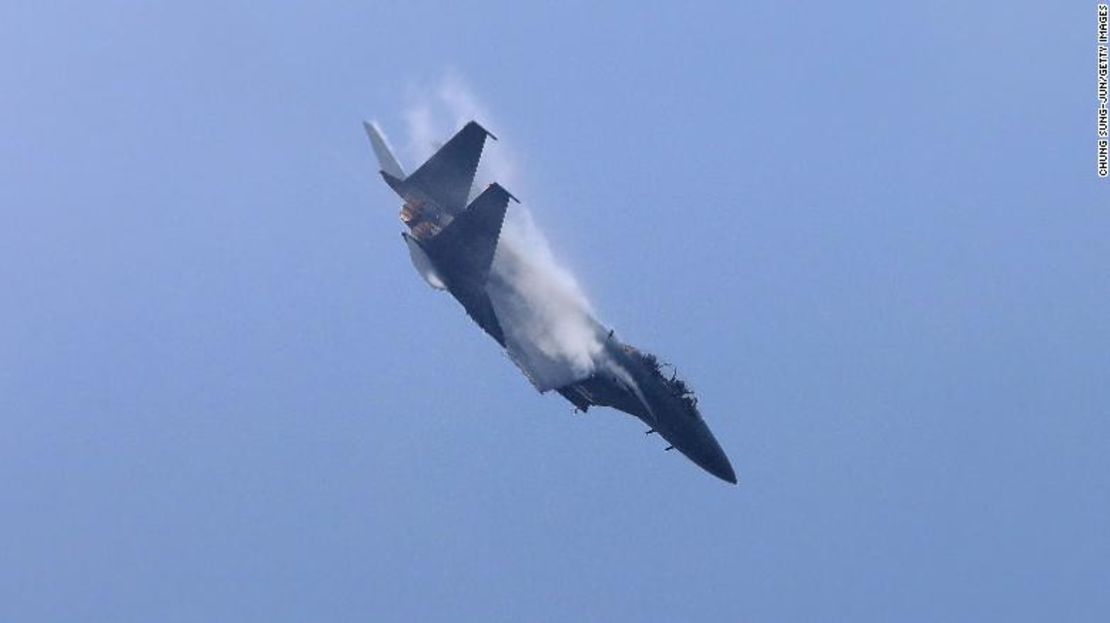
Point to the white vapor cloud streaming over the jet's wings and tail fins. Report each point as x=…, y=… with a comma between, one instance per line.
x=550, y=328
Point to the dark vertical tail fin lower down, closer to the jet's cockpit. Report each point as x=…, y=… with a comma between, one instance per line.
x=468, y=245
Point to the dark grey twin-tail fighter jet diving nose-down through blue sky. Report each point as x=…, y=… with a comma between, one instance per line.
x=455, y=245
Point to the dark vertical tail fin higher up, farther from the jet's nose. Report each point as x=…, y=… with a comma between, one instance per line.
x=448, y=176
